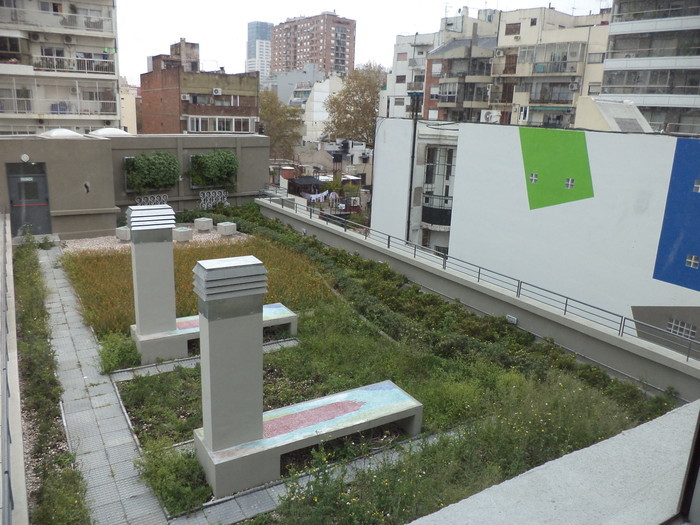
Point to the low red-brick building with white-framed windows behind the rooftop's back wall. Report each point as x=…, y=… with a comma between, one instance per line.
x=176, y=97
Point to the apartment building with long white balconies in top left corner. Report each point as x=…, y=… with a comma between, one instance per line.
x=58, y=66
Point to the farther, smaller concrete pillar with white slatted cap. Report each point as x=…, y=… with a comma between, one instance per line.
x=153, y=267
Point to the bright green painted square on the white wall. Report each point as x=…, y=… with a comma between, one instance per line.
x=554, y=156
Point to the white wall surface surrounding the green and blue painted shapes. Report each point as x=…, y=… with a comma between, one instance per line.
x=600, y=250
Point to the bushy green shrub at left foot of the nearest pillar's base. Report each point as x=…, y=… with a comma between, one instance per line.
x=175, y=476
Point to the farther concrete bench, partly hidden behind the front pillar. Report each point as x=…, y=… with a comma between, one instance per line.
x=187, y=329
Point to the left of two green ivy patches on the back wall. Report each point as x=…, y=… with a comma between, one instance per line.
x=159, y=170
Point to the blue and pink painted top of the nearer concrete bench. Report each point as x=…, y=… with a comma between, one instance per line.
x=297, y=426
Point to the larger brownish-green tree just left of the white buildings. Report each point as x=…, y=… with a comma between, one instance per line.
x=352, y=112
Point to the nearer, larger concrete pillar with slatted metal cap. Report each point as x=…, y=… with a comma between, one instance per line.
x=230, y=295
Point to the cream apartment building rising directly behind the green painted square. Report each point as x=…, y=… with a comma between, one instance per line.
x=544, y=61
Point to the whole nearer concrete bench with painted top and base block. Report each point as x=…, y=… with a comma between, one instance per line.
x=305, y=424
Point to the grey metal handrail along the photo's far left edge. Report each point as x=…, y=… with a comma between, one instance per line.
x=5, y=436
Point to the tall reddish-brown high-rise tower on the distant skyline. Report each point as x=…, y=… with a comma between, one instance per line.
x=327, y=40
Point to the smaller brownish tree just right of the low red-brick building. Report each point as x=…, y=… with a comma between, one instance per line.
x=281, y=123
